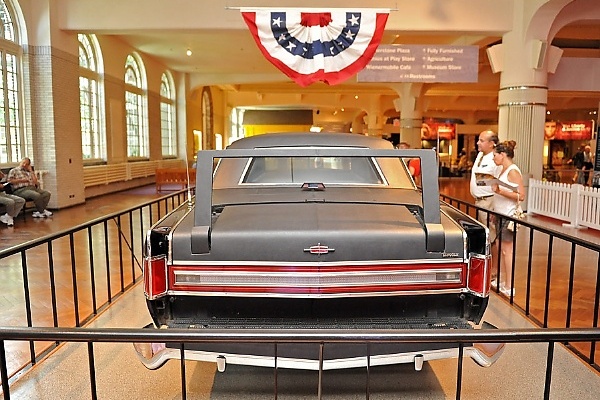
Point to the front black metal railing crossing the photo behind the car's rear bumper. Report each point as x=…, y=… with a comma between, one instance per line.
x=286, y=336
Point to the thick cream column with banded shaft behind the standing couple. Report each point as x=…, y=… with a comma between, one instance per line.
x=524, y=59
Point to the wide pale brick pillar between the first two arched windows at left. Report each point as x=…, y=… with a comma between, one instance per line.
x=51, y=65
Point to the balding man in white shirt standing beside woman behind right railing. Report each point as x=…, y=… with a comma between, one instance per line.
x=484, y=168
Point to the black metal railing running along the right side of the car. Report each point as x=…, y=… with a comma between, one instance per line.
x=570, y=265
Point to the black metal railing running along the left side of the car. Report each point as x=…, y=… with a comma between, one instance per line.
x=86, y=267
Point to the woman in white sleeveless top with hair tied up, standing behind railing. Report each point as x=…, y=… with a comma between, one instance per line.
x=508, y=196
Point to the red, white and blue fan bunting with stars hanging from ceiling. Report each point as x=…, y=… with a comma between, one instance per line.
x=316, y=45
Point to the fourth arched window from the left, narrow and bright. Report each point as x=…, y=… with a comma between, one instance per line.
x=167, y=116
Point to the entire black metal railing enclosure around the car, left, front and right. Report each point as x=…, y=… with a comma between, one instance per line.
x=105, y=253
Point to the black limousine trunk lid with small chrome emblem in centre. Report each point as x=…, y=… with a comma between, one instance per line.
x=324, y=231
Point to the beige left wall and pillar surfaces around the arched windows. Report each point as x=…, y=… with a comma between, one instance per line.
x=52, y=119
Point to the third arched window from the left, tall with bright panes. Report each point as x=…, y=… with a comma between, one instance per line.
x=135, y=108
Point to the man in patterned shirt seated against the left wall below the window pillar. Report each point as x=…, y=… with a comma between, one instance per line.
x=25, y=185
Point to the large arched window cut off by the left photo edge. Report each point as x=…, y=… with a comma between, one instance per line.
x=12, y=132
